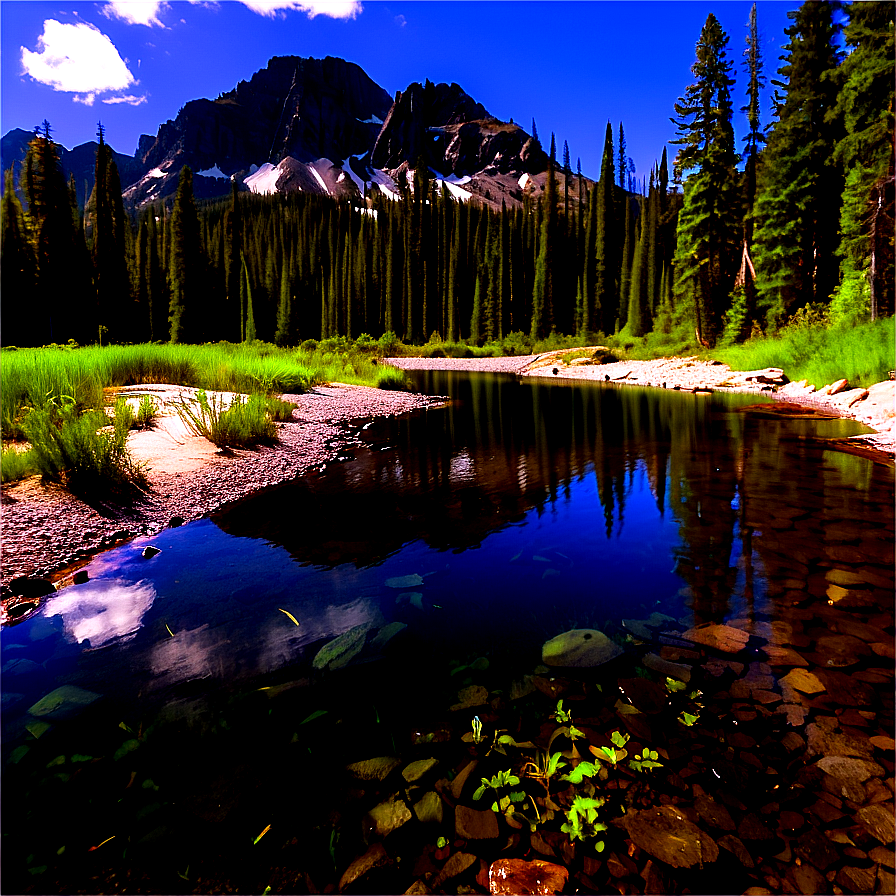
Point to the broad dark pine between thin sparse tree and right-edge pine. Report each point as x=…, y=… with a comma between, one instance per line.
x=796, y=210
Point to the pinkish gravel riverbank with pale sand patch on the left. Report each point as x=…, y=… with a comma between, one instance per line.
x=46, y=530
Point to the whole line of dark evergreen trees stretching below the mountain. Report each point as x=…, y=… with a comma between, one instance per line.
x=717, y=252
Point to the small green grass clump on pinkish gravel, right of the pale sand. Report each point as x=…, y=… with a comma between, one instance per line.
x=237, y=424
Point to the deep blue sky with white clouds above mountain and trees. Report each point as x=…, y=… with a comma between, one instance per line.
x=571, y=65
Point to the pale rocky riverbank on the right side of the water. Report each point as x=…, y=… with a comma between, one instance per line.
x=875, y=407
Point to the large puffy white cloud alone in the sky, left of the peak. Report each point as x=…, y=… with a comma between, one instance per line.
x=76, y=59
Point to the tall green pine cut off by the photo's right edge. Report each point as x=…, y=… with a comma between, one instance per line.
x=866, y=151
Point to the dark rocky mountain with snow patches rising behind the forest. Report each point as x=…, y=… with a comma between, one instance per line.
x=323, y=126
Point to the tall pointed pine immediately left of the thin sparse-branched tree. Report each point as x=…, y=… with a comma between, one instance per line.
x=708, y=228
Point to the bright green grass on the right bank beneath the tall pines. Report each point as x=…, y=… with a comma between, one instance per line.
x=862, y=353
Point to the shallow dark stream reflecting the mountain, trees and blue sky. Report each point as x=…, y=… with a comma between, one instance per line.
x=454, y=545
